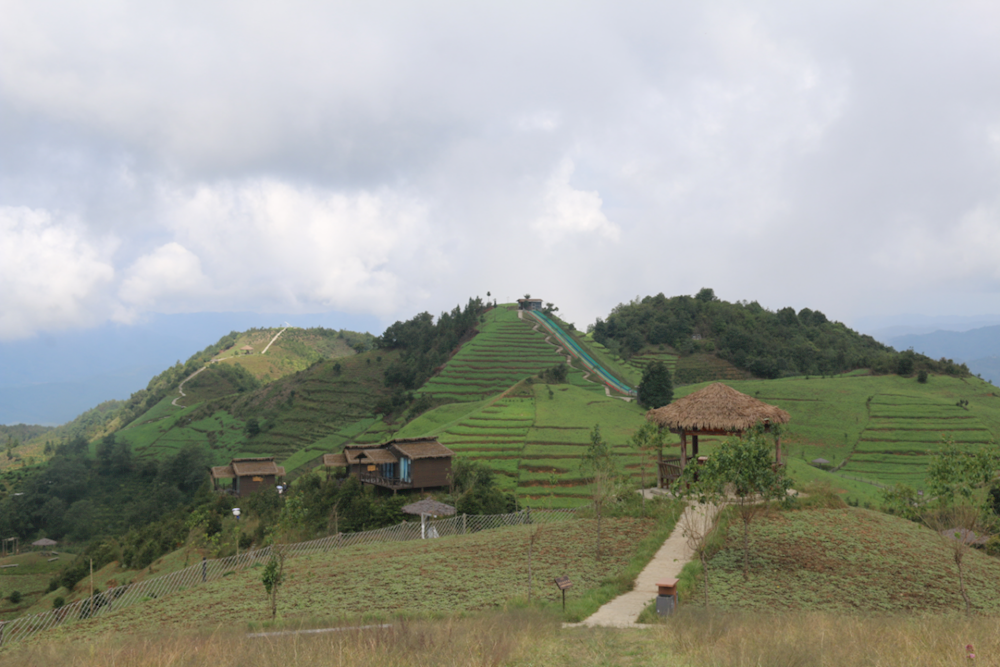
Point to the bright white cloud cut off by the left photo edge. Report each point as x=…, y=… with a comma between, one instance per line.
x=52, y=276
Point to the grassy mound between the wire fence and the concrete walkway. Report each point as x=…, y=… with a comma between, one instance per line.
x=479, y=571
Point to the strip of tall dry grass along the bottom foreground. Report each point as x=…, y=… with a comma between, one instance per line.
x=692, y=638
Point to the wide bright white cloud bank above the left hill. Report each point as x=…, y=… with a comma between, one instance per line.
x=266, y=244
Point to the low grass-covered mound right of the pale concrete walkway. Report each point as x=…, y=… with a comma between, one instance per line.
x=844, y=560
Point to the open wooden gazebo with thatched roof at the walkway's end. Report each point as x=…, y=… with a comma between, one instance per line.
x=715, y=410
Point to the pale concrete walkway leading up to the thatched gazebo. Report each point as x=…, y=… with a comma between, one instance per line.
x=624, y=610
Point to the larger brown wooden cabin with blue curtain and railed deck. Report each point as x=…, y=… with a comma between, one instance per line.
x=410, y=463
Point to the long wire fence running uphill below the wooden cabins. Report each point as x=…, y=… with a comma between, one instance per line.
x=120, y=597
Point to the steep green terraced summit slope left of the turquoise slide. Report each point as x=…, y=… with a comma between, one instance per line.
x=505, y=351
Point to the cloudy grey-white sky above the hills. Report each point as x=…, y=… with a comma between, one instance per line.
x=380, y=159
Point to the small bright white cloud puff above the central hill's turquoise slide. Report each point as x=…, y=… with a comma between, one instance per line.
x=569, y=212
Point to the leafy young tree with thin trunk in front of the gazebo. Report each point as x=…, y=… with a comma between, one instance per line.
x=743, y=469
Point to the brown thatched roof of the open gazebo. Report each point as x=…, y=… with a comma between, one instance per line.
x=717, y=407
